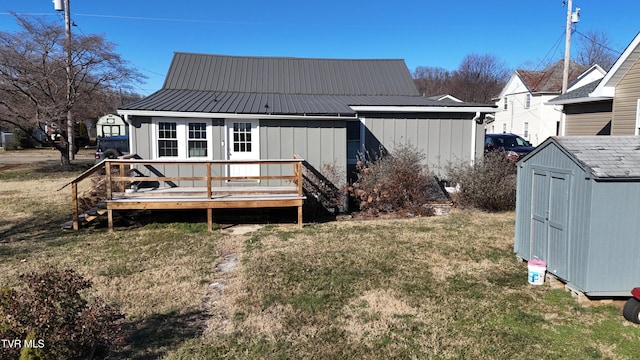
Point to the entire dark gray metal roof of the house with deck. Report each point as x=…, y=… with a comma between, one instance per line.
x=271, y=85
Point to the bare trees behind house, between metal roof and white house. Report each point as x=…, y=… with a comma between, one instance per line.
x=479, y=78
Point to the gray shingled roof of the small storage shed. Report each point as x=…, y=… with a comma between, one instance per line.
x=605, y=156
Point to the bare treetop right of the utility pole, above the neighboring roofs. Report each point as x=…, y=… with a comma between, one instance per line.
x=594, y=47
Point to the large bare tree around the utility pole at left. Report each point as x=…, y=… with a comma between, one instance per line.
x=33, y=92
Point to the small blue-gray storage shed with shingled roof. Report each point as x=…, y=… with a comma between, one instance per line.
x=578, y=209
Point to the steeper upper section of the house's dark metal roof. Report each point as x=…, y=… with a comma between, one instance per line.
x=280, y=75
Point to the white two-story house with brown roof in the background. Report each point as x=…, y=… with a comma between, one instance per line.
x=522, y=101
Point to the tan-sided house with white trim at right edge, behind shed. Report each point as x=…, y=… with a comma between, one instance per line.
x=609, y=106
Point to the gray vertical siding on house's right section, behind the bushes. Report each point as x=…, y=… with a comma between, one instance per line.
x=442, y=140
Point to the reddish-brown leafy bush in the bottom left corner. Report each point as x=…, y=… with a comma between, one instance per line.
x=50, y=313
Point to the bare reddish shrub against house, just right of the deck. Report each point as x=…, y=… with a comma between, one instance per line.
x=395, y=182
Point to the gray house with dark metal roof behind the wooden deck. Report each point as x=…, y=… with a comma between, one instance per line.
x=323, y=110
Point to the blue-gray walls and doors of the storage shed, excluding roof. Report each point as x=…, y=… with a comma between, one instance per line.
x=597, y=252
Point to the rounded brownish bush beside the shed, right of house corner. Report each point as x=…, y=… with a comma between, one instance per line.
x=489, y=184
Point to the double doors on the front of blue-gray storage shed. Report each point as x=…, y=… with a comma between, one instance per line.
x=549, y=214
